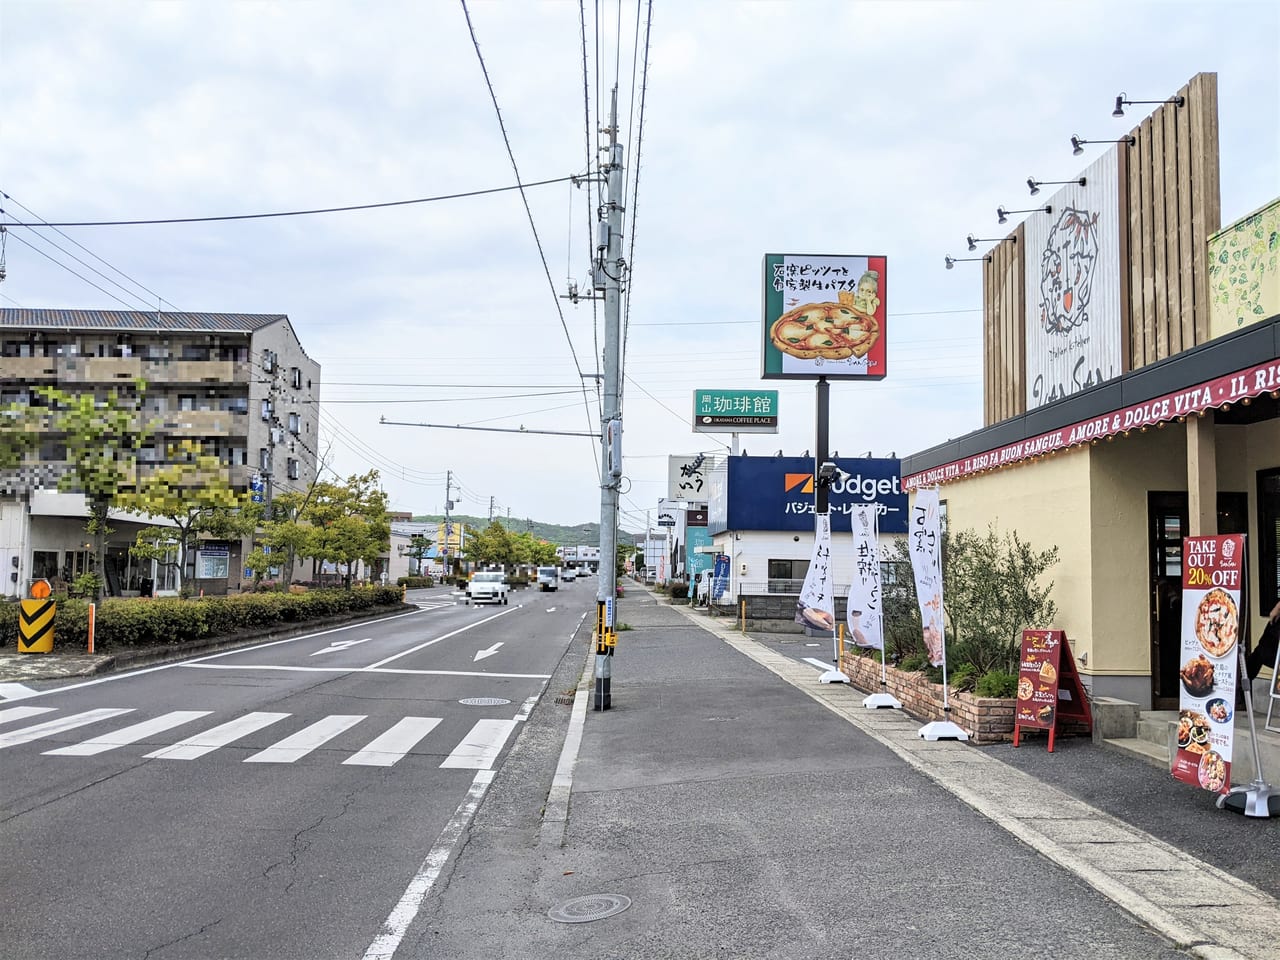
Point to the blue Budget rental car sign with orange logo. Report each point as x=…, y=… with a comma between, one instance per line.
x=778, y=493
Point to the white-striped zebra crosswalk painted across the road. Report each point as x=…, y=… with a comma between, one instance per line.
x=478, y=749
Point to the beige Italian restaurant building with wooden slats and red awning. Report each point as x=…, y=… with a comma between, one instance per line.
x=1132, y=374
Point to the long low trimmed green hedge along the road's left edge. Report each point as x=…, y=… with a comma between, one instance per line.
x=148, y=623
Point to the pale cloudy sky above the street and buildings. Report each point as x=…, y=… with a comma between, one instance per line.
x=808, y=127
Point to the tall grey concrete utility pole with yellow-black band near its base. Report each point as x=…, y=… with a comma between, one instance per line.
x=610, y=260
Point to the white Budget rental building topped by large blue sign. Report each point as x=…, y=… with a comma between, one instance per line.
x=761, y=514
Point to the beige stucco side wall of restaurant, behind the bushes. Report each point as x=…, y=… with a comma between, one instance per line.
x=1048, y=504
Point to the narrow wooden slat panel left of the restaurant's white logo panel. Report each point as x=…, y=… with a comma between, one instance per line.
x=1005, y=330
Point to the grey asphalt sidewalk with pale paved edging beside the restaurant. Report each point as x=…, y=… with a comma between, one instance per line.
x=747, y=811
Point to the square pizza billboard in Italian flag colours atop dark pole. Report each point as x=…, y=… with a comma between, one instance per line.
x=824, y=318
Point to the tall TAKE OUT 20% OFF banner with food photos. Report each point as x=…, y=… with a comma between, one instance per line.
x=1213, y=579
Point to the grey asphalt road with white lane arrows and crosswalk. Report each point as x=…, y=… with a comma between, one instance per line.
x=280, y=801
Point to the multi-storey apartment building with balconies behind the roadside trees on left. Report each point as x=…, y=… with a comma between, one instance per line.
x=240, y=385
